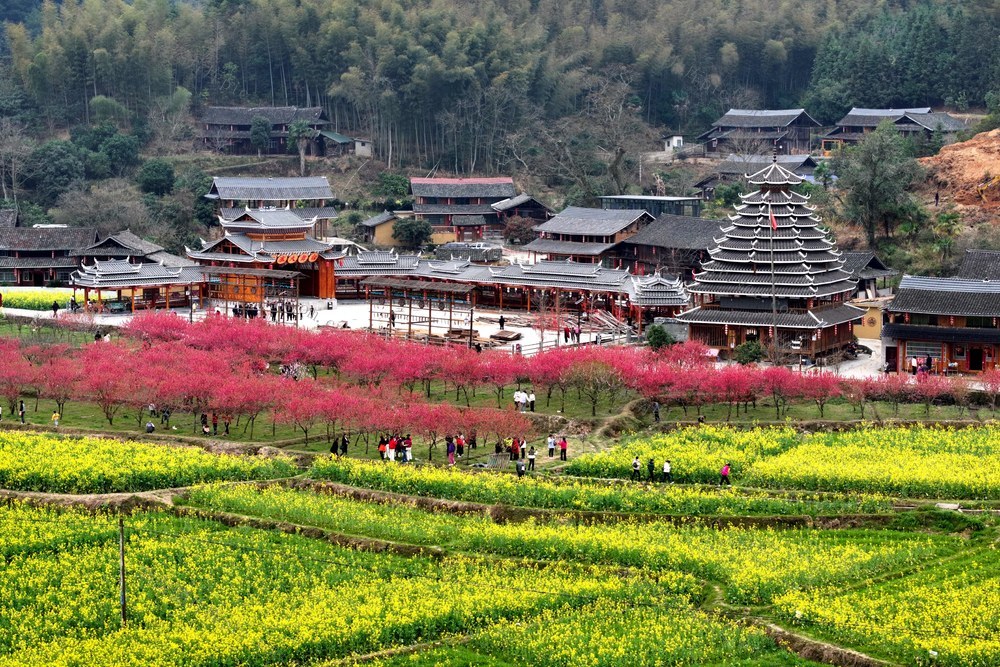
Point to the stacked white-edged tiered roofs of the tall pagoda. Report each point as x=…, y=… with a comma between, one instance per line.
x=795, y=260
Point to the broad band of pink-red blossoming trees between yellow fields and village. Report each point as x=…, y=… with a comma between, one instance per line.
x=362, y=383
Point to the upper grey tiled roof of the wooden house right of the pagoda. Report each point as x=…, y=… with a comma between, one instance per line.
x=947, y=296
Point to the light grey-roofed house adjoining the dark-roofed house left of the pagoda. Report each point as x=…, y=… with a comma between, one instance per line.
x=586, y=235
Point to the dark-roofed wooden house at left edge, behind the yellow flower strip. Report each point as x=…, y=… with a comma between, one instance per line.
x=39, y=256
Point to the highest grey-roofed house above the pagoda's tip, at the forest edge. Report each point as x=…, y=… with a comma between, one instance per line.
x=760, y=130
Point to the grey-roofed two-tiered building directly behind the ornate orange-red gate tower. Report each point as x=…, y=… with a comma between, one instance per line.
x=307, y=197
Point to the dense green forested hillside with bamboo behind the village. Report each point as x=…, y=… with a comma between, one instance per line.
x=485, y=86
